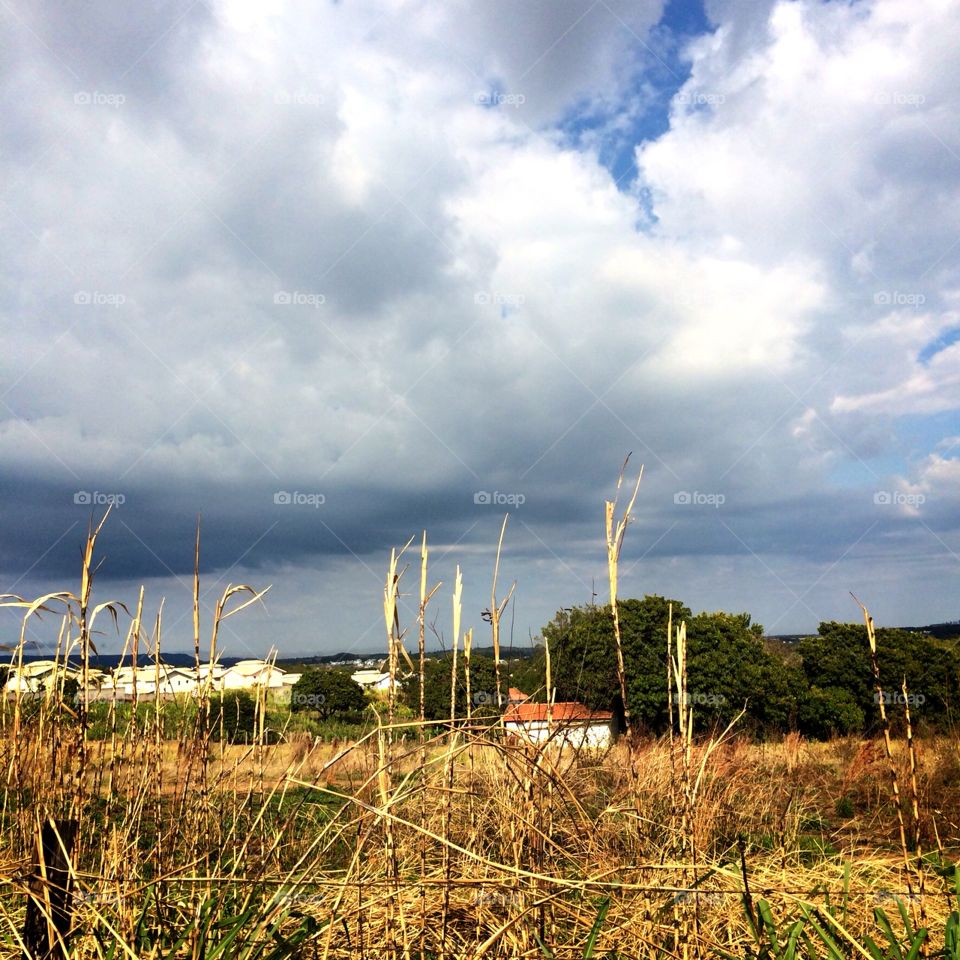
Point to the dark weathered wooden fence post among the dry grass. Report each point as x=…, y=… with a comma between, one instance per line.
x=49, y=907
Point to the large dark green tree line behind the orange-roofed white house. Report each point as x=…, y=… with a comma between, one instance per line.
x=820, y=686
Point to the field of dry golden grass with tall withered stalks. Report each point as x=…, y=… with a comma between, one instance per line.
x=448, y=840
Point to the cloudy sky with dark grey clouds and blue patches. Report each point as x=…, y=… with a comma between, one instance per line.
x=331, y=274
